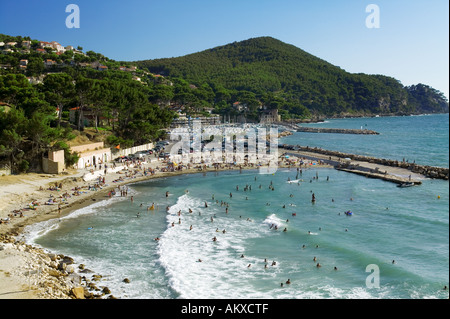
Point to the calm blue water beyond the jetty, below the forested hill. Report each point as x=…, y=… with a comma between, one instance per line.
x=423, y=138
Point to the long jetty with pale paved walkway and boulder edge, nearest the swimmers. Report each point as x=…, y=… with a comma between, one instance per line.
x=389, y=170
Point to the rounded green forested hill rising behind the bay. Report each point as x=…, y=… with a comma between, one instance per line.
x=297, y=83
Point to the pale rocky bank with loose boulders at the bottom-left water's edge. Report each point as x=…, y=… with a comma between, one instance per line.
x=52, y=276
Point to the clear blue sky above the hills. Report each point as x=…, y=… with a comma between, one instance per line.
x=412, y=43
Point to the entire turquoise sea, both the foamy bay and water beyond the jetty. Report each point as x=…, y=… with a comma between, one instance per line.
x=249, y=235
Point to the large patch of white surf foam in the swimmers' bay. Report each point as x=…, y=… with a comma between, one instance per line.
x=221, y=268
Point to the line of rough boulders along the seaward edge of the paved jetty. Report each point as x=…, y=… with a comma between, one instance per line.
x=425, y=170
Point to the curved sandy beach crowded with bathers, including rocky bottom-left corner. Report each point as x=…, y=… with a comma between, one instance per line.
x=28, y=272
